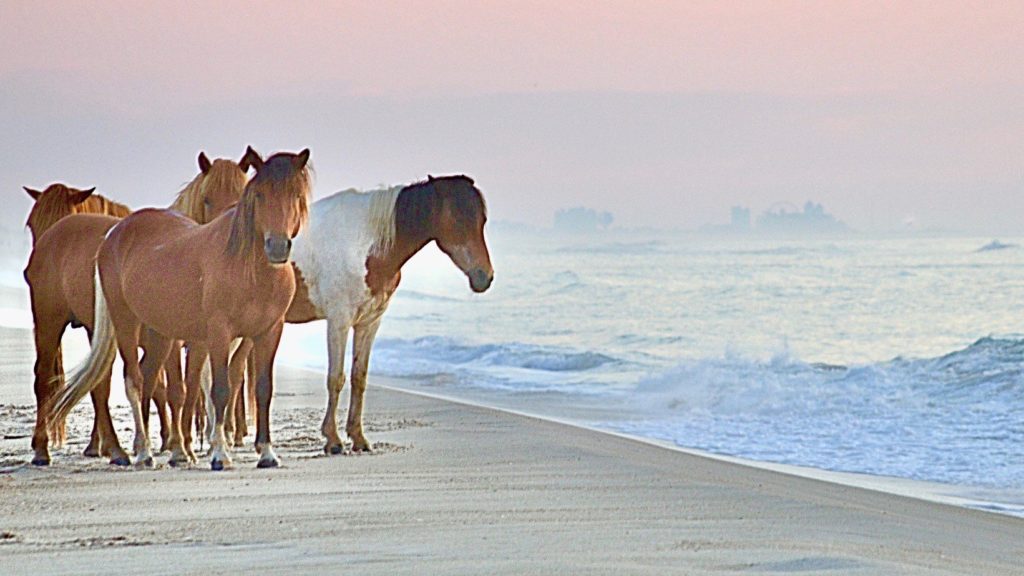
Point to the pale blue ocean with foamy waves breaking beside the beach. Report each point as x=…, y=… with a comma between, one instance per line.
x=899, y=357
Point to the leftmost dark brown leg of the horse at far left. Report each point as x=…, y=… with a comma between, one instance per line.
x=48, y=336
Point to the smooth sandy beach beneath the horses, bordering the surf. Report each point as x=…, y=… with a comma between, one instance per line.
x=456, y=489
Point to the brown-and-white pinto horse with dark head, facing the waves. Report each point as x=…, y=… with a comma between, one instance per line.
x=369, y=237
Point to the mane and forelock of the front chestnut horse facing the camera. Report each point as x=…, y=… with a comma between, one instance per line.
x=244, y=239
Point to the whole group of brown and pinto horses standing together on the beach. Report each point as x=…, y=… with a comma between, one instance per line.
x=218, y=275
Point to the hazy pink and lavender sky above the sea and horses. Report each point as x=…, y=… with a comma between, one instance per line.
x=664, y=113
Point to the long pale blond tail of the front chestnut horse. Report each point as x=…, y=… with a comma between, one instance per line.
x=96, y=368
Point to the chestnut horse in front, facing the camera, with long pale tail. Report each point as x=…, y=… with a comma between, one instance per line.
x=207, y=285
